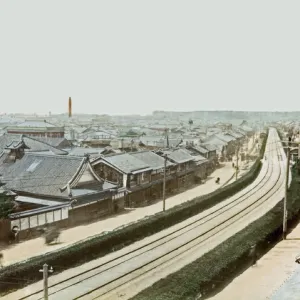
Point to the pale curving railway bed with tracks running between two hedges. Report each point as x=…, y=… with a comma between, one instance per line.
x=146, y=261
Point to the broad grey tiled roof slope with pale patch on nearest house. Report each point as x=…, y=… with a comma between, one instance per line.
x=39, y=174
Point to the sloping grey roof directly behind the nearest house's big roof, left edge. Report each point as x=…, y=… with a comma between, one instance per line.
x=33, y=144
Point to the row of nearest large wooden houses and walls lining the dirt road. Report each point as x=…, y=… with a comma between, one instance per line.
x=50, y=186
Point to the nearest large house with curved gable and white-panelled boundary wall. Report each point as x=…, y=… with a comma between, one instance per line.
x=65, y=188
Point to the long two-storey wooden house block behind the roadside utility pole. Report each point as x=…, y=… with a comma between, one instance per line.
x=141, y=173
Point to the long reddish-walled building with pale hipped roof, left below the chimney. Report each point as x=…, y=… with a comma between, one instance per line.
x=40, y=128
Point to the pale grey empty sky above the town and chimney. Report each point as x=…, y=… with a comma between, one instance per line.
x=134, y=57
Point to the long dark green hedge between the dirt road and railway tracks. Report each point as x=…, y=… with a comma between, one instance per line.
x=105, y=243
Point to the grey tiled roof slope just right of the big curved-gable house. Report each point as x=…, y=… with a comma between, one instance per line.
x=126, y=162
